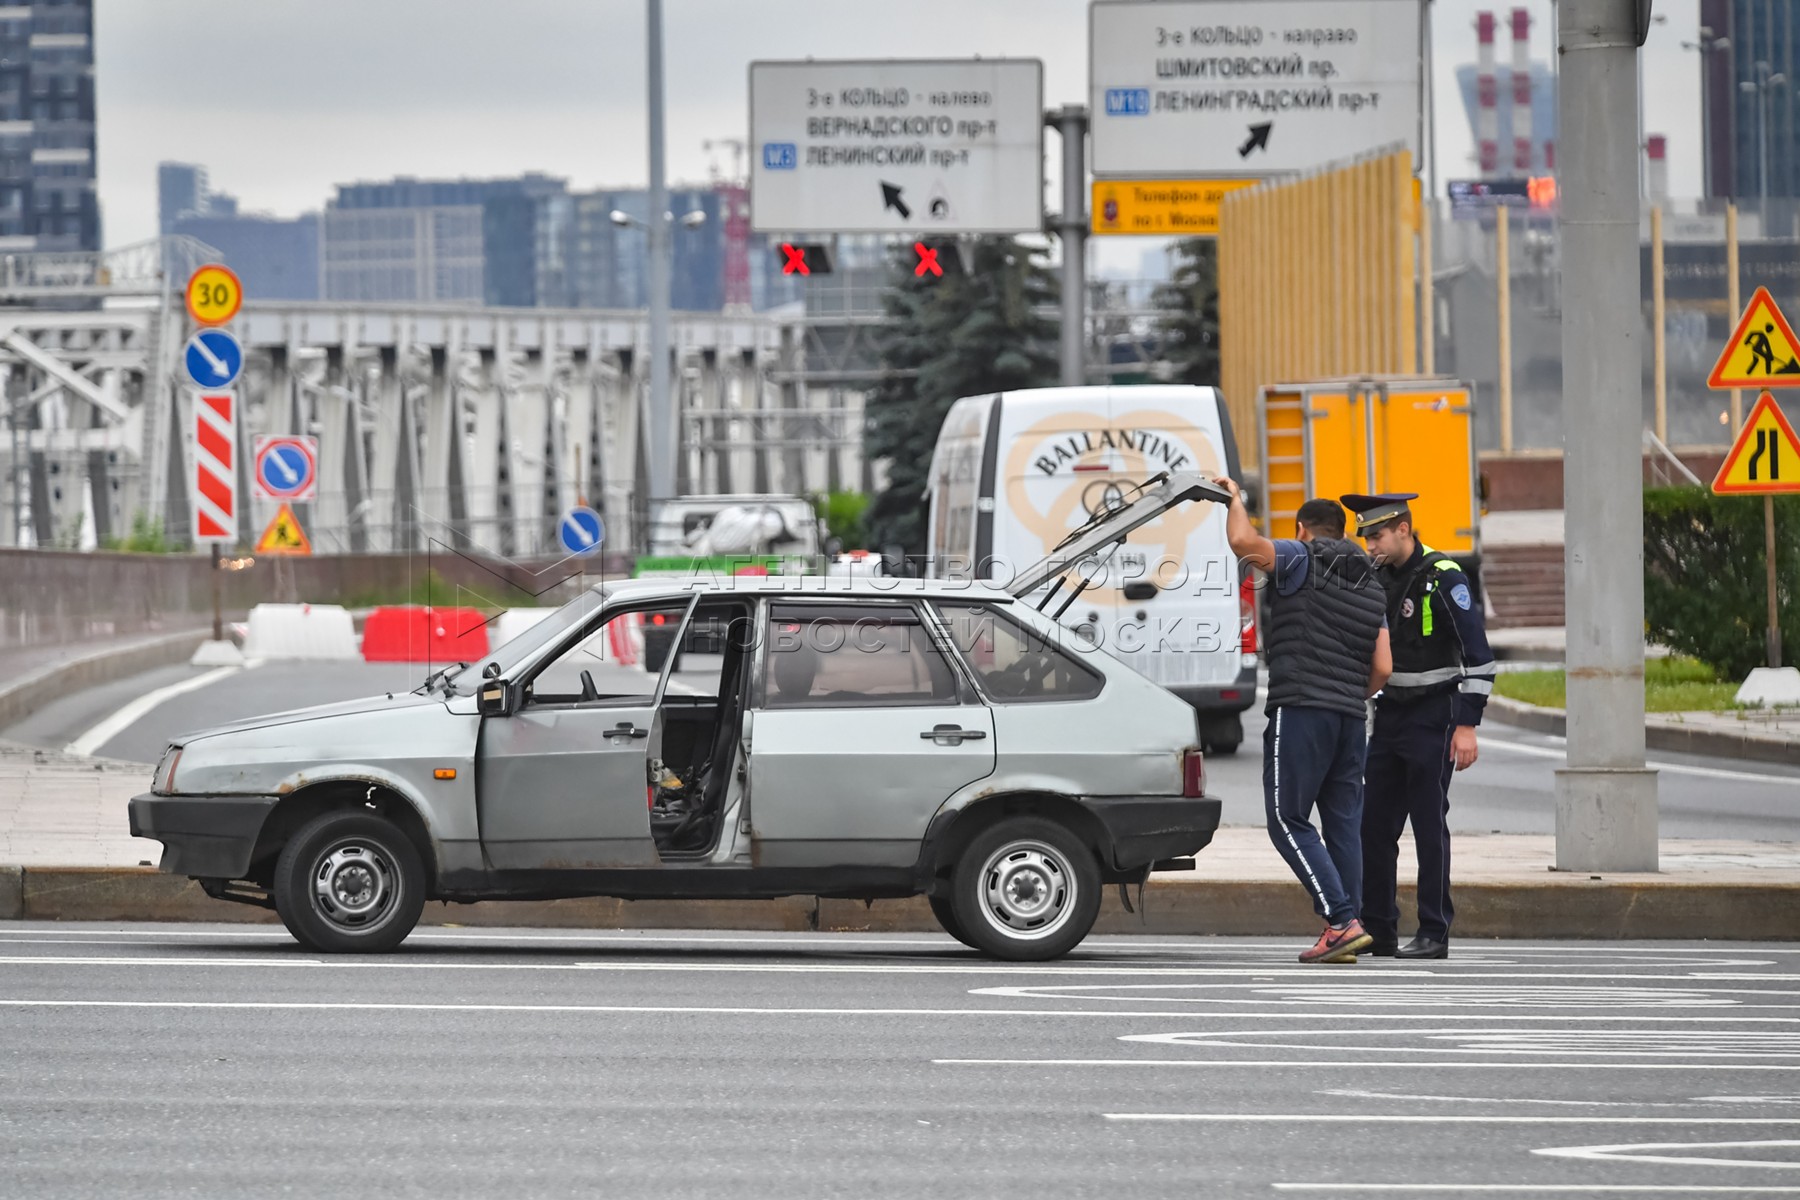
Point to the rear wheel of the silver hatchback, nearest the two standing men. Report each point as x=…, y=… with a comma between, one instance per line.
x=1027, y=891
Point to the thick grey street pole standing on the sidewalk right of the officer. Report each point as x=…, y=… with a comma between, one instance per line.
x=1605, y=798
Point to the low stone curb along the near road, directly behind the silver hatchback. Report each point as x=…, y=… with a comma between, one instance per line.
x=1561, y=906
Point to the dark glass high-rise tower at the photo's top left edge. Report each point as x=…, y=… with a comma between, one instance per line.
x=48, y=199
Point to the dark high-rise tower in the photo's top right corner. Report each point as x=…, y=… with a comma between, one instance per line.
x=1750, y=57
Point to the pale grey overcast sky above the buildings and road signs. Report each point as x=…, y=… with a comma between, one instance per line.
x=280, y=100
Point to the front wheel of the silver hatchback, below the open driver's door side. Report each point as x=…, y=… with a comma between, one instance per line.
x=350, y=882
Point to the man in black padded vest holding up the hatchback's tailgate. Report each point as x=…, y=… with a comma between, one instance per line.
x=1327, y=654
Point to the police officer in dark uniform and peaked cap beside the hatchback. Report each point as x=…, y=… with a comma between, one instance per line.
x=1425, y=722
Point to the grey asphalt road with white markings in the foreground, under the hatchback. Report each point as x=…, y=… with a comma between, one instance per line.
x=213, y=1061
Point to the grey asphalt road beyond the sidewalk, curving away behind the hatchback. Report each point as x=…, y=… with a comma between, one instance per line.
x=1509, y=791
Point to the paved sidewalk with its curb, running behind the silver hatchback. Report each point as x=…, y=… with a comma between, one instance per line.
x=66, y=855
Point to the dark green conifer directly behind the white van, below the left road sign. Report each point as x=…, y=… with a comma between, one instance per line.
x=951, y=337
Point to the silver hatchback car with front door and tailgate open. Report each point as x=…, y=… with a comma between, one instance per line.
x=863, y=740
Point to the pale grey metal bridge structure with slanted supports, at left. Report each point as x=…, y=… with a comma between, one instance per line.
x=467, y=425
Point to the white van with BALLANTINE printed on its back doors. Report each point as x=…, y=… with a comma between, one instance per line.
x=1016, y=472
